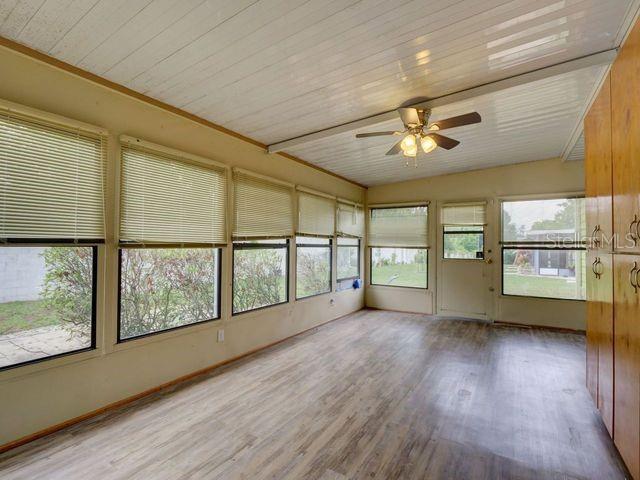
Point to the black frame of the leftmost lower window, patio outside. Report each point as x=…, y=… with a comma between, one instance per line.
x=94, y=293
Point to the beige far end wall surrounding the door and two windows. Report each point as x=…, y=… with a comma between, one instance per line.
x=533, y=178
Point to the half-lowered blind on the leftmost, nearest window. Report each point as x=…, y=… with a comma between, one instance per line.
x=51, y=180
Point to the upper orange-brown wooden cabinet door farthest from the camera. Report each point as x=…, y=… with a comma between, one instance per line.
x=598, y=168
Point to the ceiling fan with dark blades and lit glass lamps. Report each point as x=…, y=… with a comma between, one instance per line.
x=415, y=123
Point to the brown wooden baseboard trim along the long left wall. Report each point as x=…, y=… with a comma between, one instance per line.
x=67, y=423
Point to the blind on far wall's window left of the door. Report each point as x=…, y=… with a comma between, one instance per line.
x=398, y=227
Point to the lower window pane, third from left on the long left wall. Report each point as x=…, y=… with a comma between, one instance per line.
x=260, y=274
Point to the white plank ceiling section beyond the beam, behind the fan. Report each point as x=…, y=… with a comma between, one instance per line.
x=519, y=124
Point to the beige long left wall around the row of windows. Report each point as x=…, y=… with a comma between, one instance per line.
x=40, y=395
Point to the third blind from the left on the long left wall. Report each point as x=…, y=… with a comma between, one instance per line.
x=262, y=208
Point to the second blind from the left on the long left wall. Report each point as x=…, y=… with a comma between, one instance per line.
x=167, y=200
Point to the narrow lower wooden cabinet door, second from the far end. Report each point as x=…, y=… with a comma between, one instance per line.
x=603, y=274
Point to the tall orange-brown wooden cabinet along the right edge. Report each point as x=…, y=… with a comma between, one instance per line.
x=612, y=186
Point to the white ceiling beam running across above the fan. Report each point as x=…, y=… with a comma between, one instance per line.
x=600, y=58
